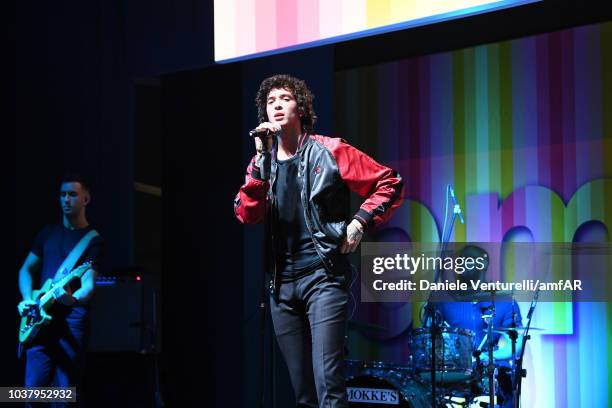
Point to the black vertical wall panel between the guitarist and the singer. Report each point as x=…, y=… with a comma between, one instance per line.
x=201, y=282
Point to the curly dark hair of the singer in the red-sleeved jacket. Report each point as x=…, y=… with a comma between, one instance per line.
x=300, y=91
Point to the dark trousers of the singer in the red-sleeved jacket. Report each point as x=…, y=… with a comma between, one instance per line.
x=309, y=319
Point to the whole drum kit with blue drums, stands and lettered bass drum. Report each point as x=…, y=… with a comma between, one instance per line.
x=447, y=372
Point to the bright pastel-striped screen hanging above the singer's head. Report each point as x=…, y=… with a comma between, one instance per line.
x=253, y=27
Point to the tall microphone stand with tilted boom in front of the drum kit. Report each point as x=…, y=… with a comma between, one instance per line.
x=431, y=311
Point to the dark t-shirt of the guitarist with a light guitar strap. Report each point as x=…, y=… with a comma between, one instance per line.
x=53, y=244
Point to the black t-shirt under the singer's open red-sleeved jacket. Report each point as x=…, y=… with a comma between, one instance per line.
x=297, y=255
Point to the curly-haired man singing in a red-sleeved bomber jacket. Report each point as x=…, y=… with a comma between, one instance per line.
x=299, y=183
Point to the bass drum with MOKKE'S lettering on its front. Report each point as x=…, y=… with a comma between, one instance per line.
x=379, y=385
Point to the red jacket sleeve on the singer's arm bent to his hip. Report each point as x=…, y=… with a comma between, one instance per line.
x=382, y=187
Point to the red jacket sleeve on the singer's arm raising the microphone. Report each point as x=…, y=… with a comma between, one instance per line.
x=250, y=202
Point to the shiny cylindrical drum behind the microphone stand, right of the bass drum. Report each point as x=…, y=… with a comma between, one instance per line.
x=454, y=348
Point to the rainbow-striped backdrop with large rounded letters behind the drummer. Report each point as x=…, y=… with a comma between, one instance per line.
x=523, y=130
